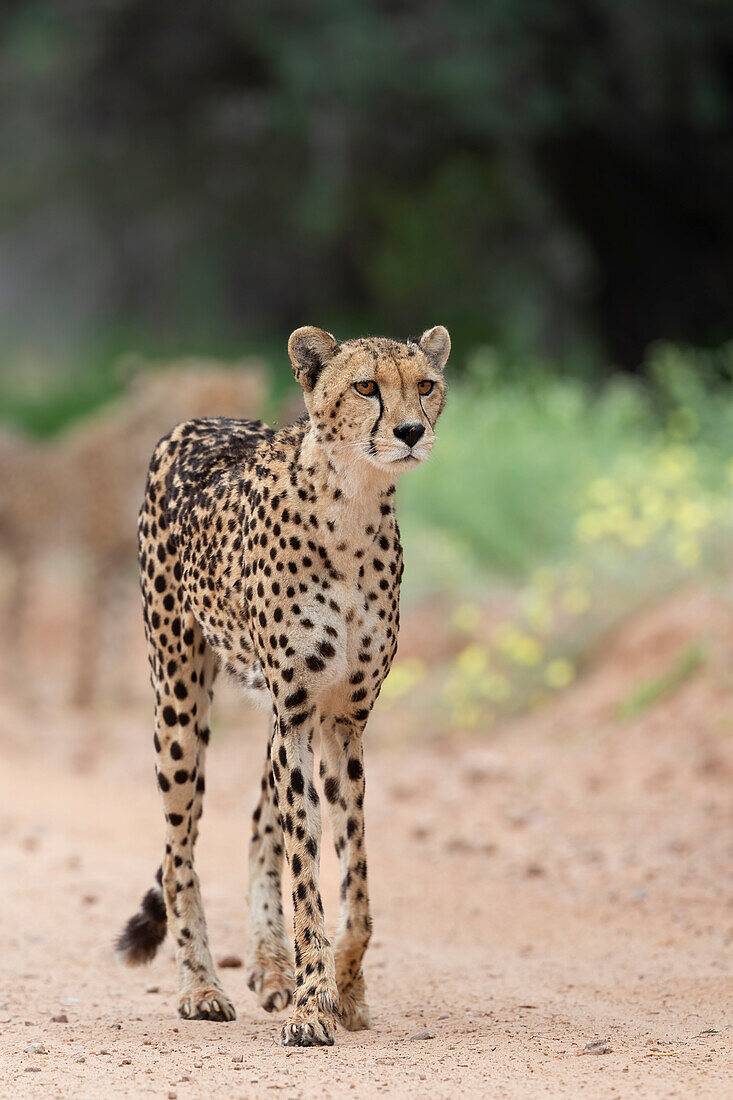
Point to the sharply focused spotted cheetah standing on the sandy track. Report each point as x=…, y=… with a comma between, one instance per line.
x=276, y=556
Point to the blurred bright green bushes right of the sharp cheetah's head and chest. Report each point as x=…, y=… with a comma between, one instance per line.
x=519, y=448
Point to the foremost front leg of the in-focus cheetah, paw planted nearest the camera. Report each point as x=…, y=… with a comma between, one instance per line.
x=313, y=1021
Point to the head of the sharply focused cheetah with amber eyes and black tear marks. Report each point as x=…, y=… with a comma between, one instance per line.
x=373, y=401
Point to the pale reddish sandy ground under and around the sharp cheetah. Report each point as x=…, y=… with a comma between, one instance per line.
x=563, y=881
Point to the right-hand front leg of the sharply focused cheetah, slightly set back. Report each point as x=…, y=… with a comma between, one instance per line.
x=343, y=775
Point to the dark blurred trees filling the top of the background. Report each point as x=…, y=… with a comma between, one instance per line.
x=521, y=171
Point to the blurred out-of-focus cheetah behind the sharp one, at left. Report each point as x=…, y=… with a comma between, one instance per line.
x=81, y=493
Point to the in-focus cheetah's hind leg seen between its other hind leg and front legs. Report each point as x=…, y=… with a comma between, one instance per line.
x=270, y=959
